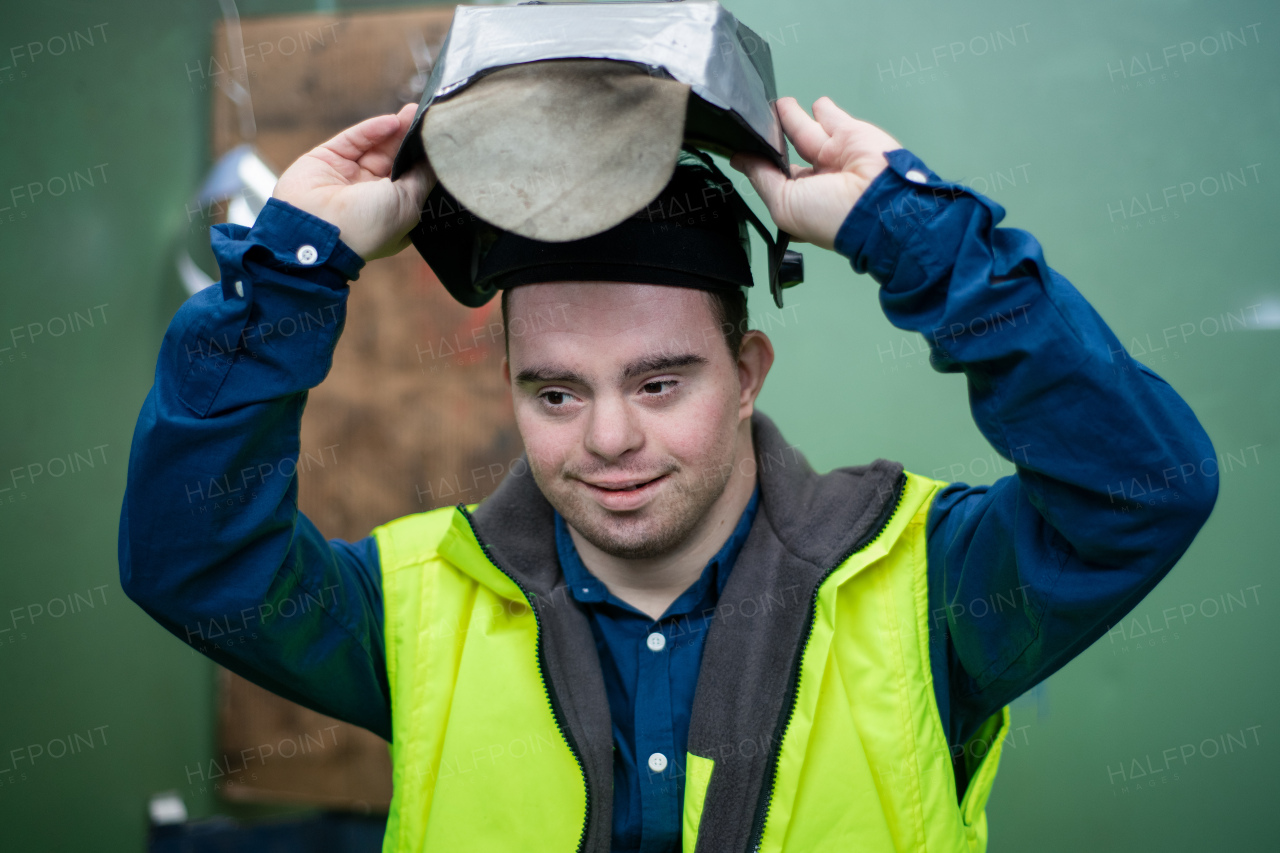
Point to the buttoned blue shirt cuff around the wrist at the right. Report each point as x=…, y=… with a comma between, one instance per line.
x=906, y=226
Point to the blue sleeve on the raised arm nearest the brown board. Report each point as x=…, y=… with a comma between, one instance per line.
x=212, y=541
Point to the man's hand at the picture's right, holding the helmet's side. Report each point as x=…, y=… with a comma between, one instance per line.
x=847, y=157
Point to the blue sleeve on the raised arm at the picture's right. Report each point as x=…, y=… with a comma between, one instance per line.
x=1114, y=475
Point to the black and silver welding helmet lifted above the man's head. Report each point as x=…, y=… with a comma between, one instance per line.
x=570, y=143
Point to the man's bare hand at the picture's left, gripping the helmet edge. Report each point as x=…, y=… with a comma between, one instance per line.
x=346, y=183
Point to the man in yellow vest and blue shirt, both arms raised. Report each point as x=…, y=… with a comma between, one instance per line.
x=674, y=635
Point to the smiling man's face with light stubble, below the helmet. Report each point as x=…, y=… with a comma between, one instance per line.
x=630, y=407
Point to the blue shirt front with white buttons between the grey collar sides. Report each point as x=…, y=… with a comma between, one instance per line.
x=651, y=673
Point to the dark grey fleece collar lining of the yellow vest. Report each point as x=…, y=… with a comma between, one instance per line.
x=806, y=527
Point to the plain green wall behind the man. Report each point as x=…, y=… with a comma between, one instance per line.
x=1043, y=104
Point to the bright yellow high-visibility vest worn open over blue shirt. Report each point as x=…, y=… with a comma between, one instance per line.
x=483, y=764
